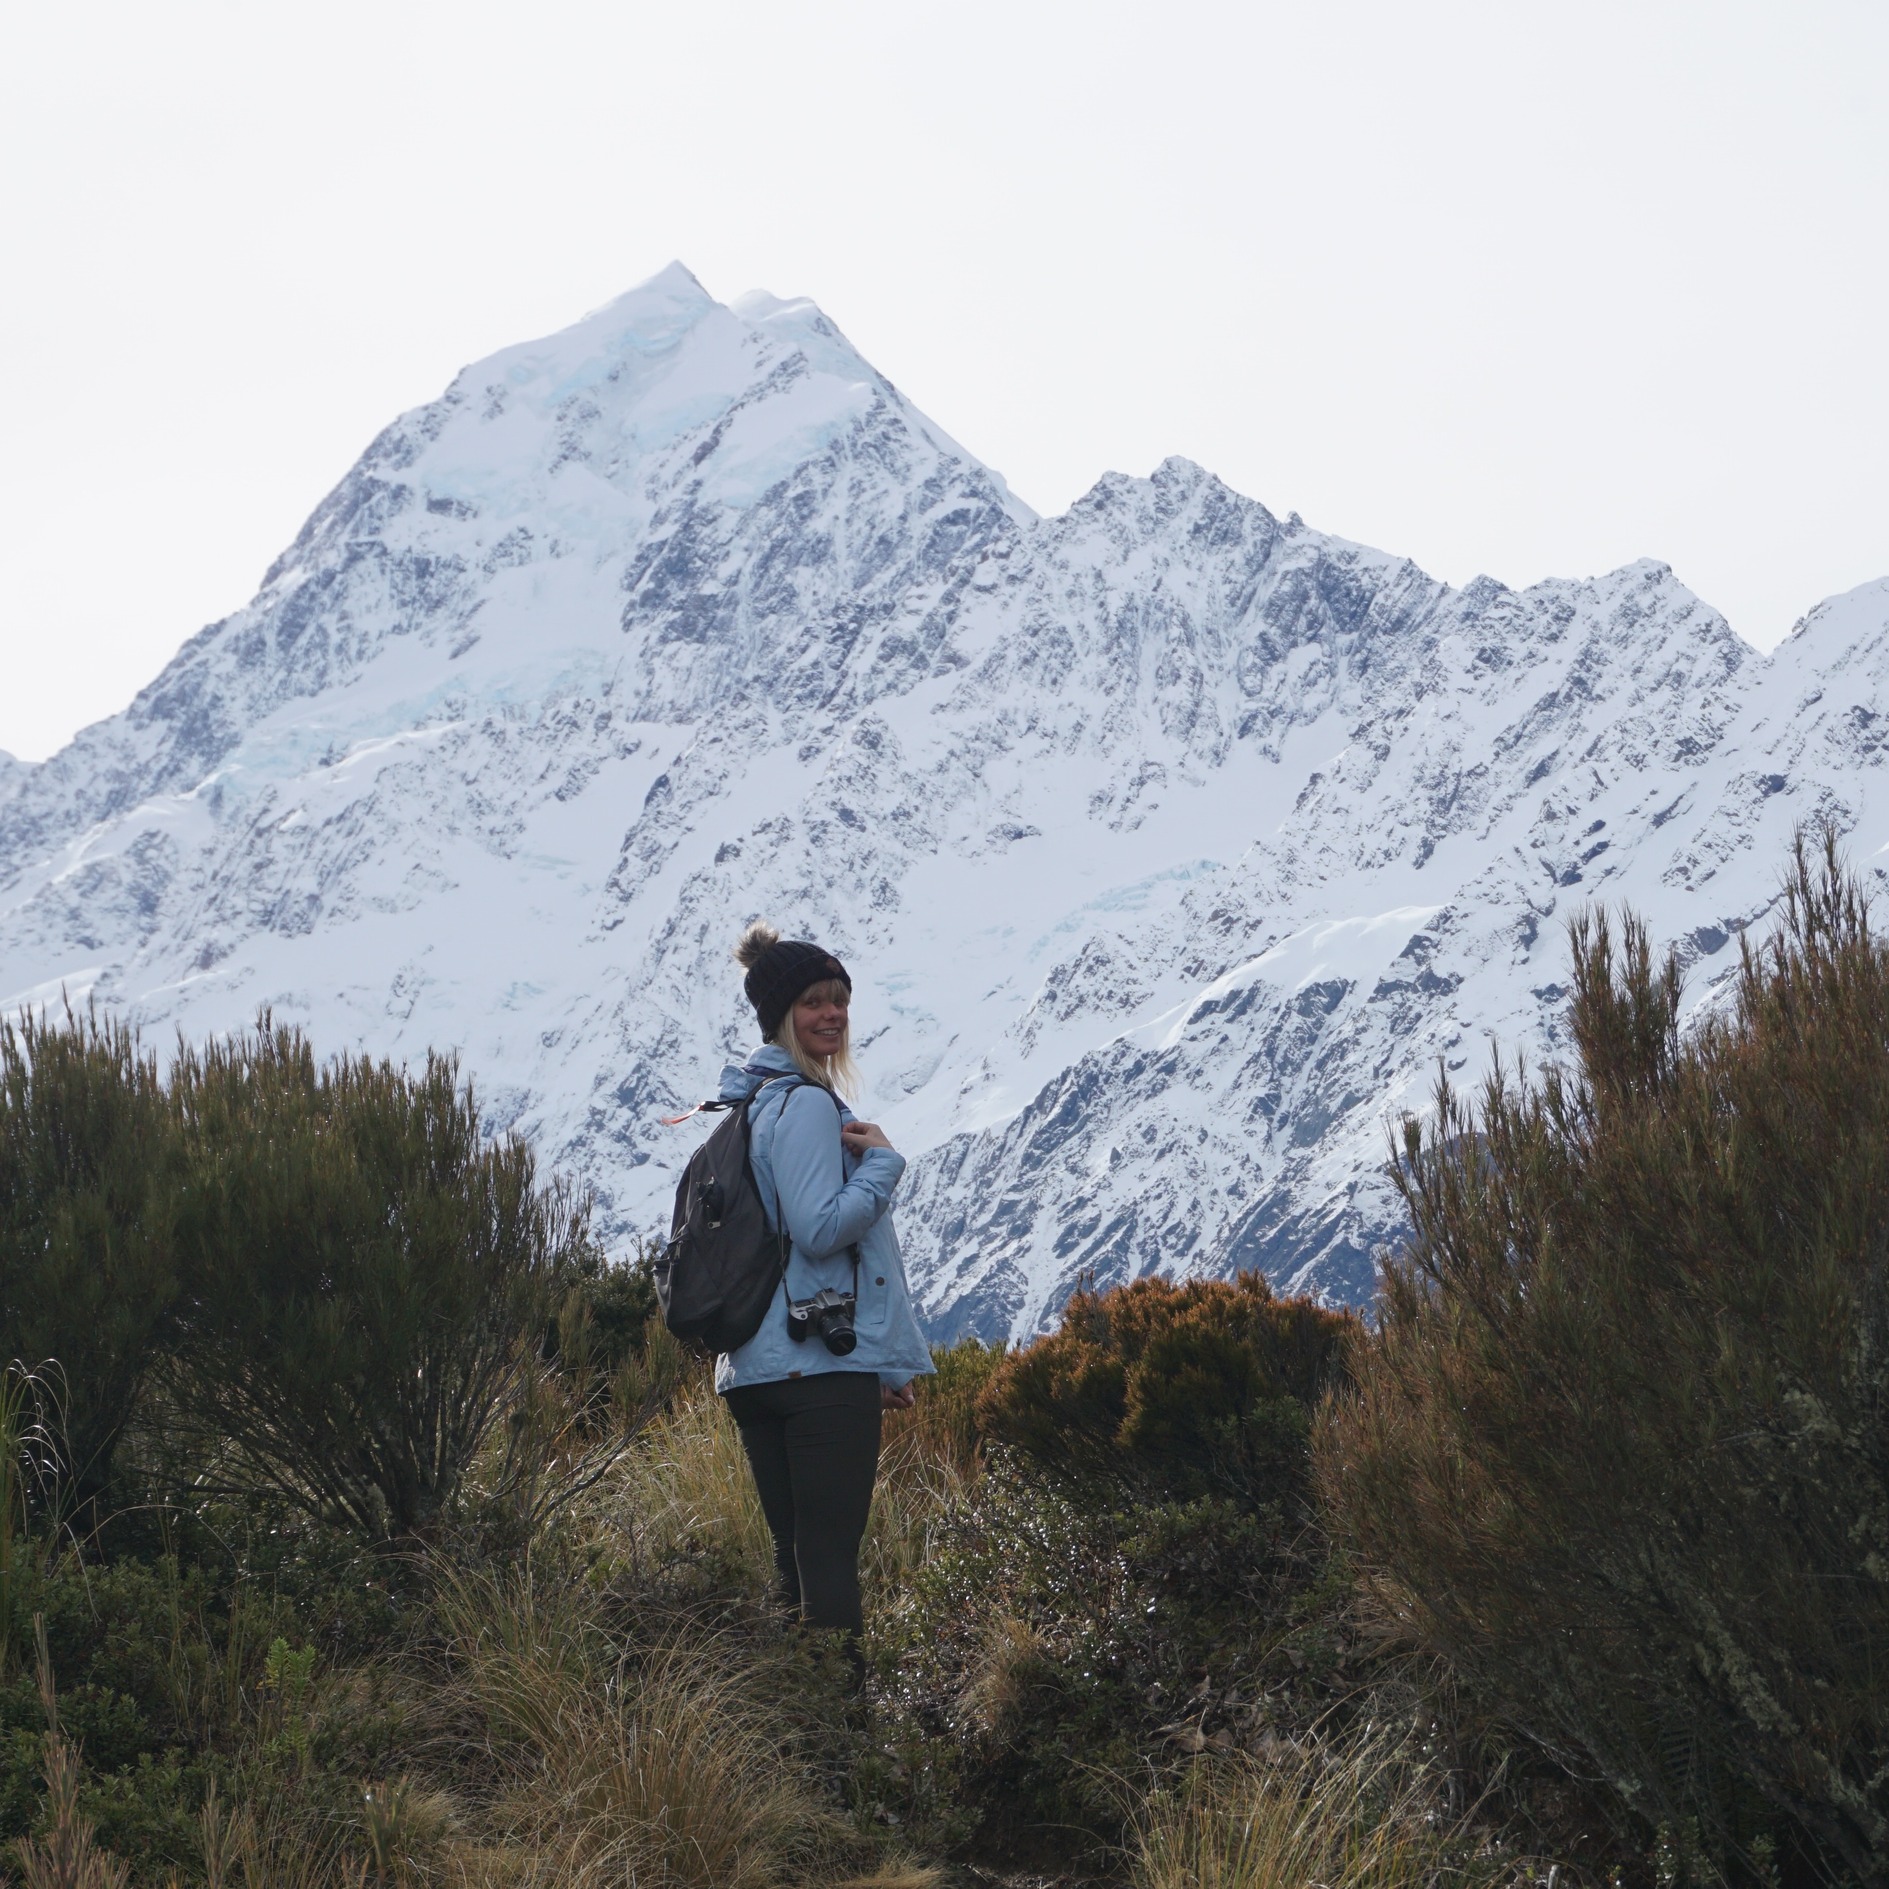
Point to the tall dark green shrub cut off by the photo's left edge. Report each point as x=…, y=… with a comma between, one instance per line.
x=86, y=1248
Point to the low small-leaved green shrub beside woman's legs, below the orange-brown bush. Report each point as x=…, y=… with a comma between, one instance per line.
x=1047, y=1648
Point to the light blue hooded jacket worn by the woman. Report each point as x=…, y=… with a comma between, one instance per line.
x=832, y=1202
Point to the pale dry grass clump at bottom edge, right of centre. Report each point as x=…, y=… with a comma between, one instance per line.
x=1369, y=1812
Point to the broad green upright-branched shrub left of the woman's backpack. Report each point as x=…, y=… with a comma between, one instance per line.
x=366, y=1278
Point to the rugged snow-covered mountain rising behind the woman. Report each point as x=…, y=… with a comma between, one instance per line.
x=1172, y=845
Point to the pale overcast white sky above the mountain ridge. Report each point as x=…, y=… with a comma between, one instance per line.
x=1512, y=288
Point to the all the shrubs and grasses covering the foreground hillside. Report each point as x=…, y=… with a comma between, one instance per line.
x=360, y=1525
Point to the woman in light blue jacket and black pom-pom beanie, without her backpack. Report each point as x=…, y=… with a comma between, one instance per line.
x=809, y=1387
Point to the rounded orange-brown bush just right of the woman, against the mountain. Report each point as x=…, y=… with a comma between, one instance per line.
x=1182, y=1389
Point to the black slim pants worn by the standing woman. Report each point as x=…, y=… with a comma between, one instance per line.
x=813, y=1446
